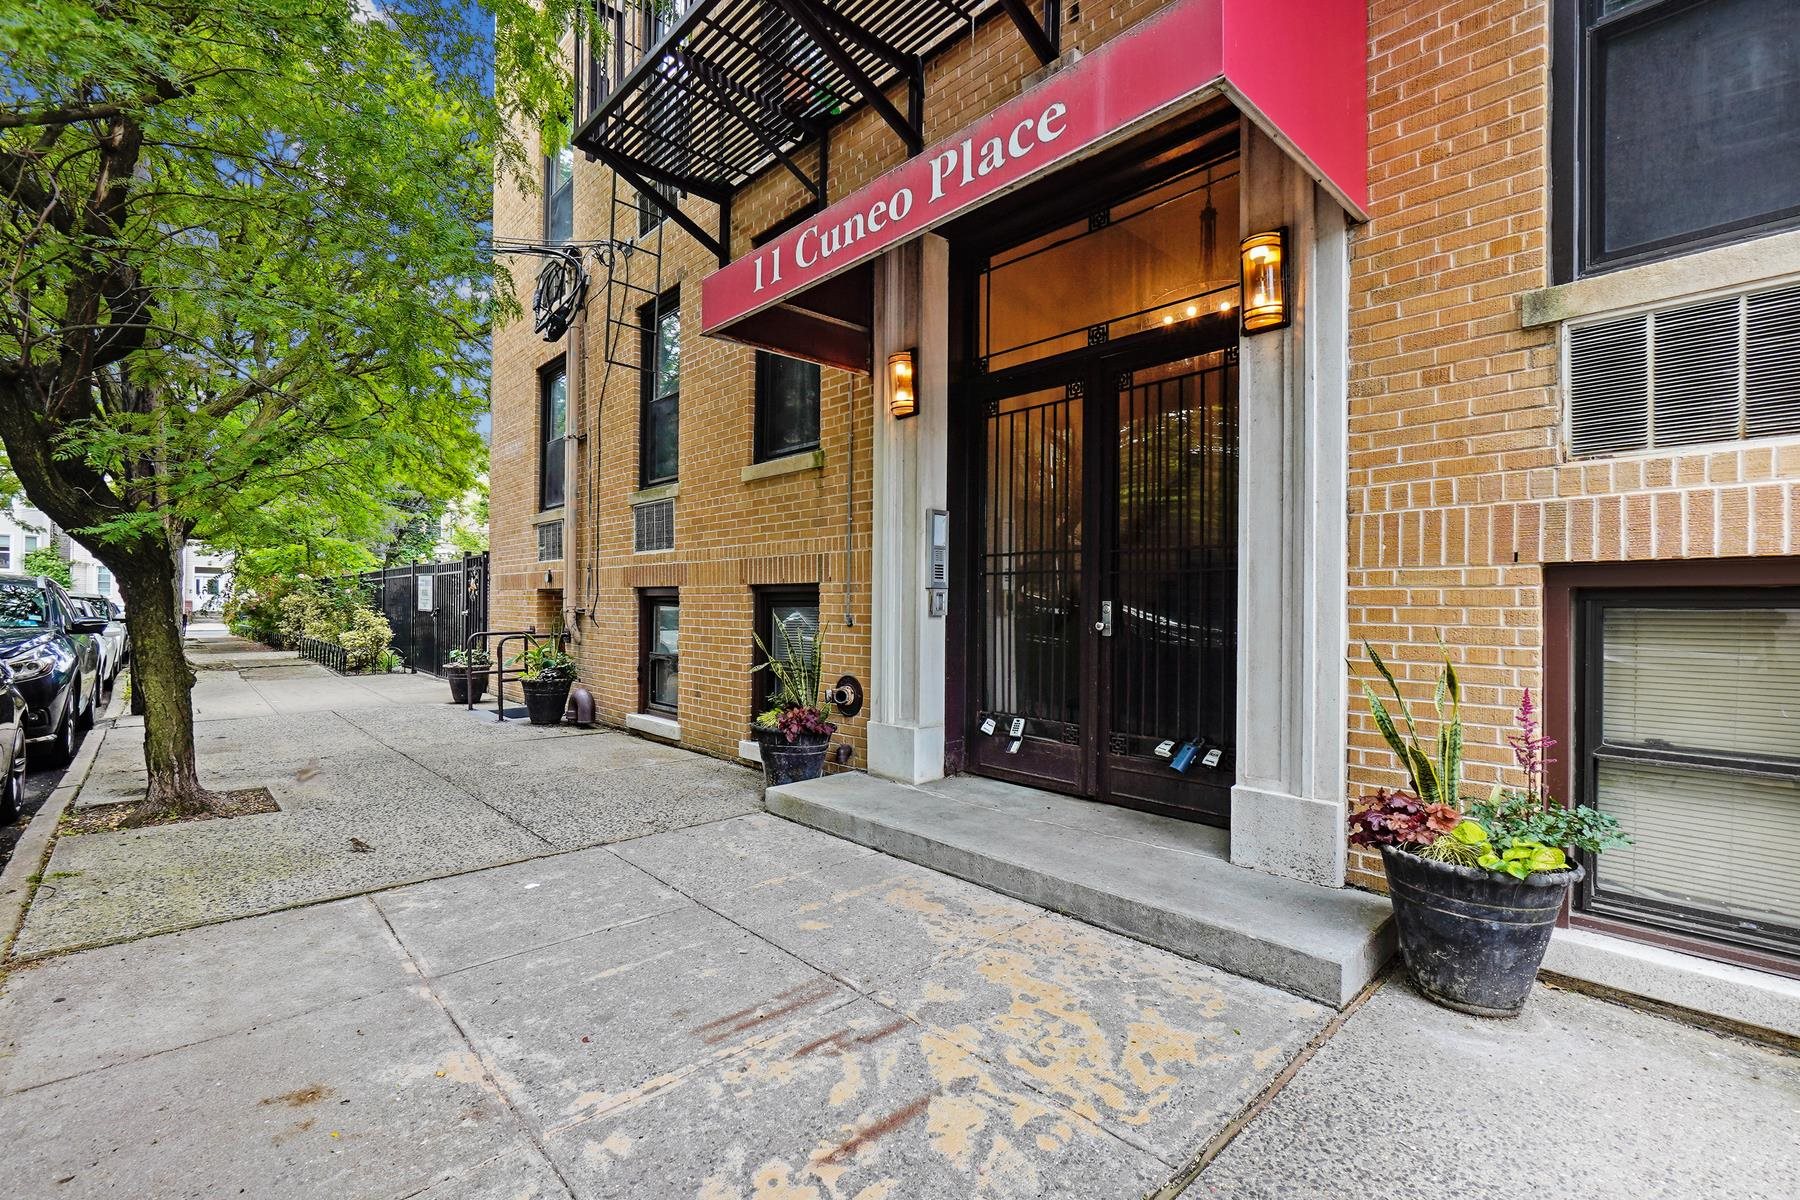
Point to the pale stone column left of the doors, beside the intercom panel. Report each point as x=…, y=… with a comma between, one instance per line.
x=912, y=467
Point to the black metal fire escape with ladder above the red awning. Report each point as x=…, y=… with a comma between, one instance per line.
x=696, y=98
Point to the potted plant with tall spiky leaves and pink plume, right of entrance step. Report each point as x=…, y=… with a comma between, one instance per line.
x=1477, y=888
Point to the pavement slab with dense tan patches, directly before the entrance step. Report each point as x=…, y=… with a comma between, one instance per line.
x=1151, y=1046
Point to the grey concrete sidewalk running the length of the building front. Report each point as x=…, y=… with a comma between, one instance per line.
x=721, y=1005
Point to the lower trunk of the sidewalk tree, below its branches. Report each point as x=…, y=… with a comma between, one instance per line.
x=165, y=681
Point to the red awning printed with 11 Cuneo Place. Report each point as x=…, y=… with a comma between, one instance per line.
x=1297, y=69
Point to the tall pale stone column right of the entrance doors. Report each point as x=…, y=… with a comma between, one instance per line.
x=1288, y=807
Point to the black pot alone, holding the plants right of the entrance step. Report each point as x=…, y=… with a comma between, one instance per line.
x=1473, y=940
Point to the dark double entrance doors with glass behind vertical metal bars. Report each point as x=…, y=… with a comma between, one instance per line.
x=1106, y=582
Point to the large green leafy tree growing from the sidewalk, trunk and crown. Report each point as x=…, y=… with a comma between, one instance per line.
x=244, y=276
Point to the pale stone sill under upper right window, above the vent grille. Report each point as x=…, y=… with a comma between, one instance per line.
x=1718, y=269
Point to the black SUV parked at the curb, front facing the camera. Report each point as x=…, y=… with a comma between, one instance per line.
x=53, y=650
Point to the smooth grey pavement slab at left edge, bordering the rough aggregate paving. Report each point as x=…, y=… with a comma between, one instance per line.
x=84, y=1012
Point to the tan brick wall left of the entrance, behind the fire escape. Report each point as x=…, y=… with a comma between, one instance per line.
x=730, y=535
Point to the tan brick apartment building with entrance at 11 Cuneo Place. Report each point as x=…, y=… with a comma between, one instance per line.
x=1507, y=413
